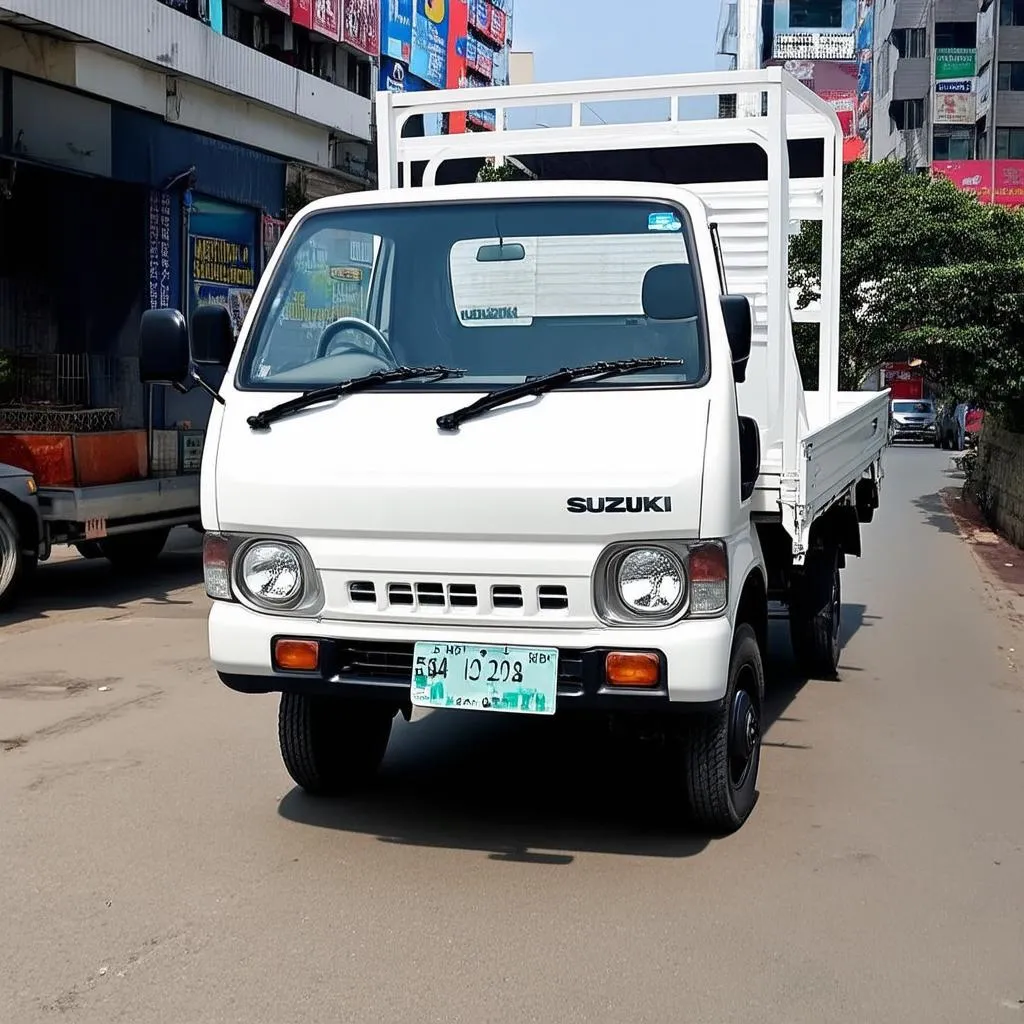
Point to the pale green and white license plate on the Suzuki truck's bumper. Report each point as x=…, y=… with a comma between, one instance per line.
x=522, y=680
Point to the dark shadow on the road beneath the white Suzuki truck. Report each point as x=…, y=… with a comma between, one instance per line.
x=533, y=792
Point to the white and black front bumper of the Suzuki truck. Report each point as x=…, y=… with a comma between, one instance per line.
x=376, y=662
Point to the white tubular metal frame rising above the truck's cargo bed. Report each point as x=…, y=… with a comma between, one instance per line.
x=794, y=113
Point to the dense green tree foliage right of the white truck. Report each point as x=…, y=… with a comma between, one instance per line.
x=928, y=273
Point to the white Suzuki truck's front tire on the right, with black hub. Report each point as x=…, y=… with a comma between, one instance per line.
x=722, y=752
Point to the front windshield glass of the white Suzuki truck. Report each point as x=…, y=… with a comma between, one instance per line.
x=503, y=290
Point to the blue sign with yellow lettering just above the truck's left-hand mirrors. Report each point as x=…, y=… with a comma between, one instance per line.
x=222, y=258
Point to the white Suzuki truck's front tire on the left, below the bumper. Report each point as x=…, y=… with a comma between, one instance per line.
x=332, y=747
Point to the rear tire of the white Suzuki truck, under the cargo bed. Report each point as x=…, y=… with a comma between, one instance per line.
x=816, y=614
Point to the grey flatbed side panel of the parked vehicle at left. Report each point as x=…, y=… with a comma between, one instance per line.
x=174, y=496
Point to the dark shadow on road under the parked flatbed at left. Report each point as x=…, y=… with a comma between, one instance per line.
x=70, y=584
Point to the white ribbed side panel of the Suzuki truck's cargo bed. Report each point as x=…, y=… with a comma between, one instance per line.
x=838, y=455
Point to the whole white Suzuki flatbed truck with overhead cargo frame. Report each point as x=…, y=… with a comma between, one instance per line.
x=564, y=460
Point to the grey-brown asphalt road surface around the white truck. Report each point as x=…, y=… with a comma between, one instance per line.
x=158, y=866
